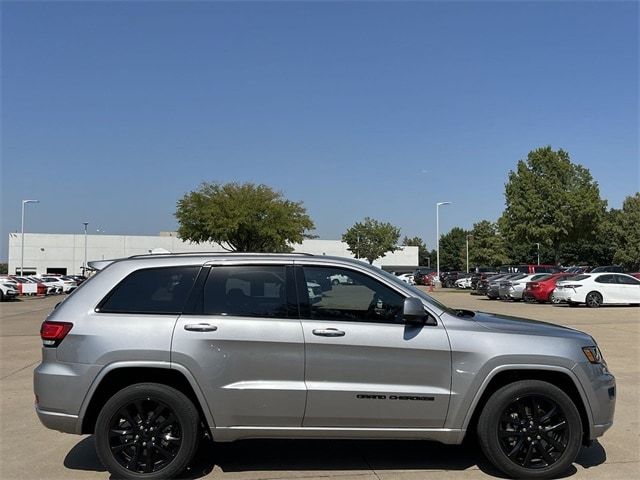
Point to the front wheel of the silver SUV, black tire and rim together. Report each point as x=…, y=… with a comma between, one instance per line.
x=527, y=444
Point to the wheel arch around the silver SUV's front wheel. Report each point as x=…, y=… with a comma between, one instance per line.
x=559, y=377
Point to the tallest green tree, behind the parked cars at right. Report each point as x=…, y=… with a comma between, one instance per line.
x=552, y=201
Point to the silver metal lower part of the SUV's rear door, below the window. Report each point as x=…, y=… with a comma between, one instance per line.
x=250, y=369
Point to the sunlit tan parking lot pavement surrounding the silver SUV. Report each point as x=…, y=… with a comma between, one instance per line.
x=29, y=451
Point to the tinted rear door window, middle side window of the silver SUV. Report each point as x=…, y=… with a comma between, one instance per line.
x=246, y=291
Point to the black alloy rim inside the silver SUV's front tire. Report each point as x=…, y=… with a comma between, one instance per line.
x=533, y=432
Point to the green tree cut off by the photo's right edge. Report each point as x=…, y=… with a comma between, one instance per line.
x=627, y=233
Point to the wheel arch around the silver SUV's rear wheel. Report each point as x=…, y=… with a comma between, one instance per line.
x=116, y=377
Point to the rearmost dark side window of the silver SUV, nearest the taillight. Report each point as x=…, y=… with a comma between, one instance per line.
x=154, y=290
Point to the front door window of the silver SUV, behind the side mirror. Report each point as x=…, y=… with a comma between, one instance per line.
x=362, y=298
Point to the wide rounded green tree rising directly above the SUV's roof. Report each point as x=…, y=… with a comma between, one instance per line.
x=242, y=217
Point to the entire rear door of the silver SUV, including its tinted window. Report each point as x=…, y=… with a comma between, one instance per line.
x=244, y=351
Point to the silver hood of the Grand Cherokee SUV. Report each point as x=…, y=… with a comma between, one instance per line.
x=507, y=324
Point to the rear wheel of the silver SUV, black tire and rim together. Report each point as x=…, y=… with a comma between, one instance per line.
x=137, y=410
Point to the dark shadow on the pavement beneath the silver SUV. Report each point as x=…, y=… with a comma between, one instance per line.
x=328, y=456
